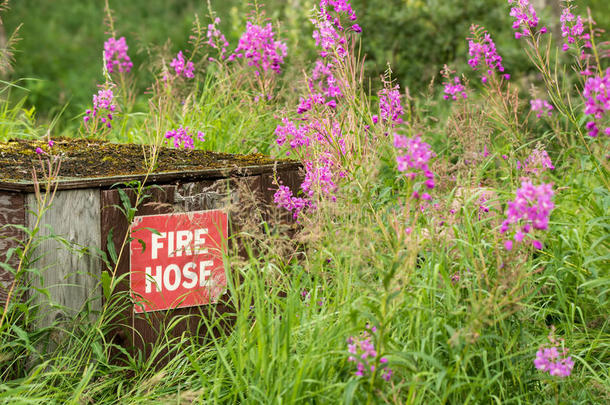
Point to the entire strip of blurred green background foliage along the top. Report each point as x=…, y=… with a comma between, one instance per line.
x=62, y=40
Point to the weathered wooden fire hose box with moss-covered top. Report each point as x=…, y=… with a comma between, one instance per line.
x=174, y=263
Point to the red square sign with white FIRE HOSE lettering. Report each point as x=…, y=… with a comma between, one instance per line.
x=176, y=260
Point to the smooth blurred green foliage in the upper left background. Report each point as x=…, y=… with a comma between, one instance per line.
x=62, y=43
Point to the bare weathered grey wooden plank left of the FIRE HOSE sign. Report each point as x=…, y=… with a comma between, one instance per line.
x=70, y=276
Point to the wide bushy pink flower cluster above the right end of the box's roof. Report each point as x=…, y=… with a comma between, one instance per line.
x=258, y=46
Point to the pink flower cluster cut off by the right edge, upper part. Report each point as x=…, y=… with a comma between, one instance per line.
x=597, y=102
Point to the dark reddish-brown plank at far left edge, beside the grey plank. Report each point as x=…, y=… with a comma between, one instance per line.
x=12, y=212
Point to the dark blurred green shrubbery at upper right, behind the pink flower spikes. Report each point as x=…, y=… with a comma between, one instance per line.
x=418, y=37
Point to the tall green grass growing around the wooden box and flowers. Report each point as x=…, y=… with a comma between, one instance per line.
x=458, y=317
